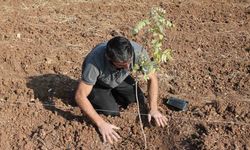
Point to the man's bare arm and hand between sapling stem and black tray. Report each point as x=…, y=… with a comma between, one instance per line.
x=160, y=119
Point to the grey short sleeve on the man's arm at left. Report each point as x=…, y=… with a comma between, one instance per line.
x=89, y=74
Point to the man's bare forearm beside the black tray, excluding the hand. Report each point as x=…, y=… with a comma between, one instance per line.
x=153, y=92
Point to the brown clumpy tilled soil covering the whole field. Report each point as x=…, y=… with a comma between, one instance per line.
x=42, y=46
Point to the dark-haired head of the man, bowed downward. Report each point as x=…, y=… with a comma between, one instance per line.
x=119, y=52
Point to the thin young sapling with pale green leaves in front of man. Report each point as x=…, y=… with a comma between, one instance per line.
x=153, y=36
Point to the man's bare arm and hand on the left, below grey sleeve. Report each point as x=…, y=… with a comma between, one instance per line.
x=107, y=130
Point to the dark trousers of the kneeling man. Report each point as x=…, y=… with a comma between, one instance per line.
x=108, y=100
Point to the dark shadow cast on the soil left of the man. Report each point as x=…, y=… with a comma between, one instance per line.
x=50, y=87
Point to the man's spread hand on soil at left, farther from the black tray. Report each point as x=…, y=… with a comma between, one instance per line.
x=108, y=133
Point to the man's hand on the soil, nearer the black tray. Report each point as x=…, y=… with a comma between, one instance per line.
x=160, y=119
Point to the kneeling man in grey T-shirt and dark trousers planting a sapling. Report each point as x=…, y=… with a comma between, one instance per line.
x=106, y=83
